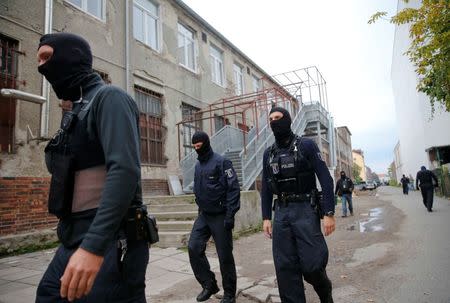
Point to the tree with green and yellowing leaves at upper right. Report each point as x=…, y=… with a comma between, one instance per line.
x=430, y=46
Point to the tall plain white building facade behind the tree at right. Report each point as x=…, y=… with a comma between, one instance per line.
x=424, y=139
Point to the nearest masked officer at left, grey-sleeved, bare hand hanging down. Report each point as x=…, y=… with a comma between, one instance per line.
x=94, y=160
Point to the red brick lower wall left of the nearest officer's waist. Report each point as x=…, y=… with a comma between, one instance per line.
x=23, y=205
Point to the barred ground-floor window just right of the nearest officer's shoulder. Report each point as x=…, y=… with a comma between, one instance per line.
x=150, y=121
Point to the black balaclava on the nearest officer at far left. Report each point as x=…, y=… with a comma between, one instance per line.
x=69, y=65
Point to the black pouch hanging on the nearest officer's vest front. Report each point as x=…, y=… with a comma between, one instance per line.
x=61, y=184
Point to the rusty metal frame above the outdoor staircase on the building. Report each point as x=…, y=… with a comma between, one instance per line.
x=295, y=89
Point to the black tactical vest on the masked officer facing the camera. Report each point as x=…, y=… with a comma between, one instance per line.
x=290, y=171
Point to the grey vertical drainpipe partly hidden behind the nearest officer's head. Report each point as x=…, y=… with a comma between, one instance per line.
x=45, y=109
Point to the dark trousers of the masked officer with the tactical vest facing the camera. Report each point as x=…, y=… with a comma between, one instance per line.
x=299, y=251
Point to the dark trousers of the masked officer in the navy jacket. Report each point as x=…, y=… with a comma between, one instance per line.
x=204, y=227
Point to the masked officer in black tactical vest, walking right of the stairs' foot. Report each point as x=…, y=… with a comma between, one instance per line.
x=290, y=167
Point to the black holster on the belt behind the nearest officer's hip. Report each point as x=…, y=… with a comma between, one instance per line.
x=140, y=226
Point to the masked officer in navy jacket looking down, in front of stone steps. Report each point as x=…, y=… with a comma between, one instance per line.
x=217, y=194
